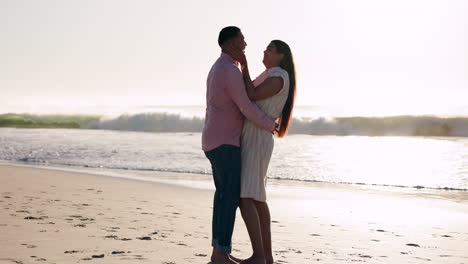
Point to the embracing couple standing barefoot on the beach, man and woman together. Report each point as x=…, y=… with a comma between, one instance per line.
x=242, y=117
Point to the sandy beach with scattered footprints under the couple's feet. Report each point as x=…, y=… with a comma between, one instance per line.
x=52, y=216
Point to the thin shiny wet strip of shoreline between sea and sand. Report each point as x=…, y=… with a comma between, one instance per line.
x=275, y=189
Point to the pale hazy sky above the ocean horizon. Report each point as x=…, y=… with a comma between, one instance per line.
x=372, y=54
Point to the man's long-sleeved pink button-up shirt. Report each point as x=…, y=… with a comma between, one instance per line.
x=227, y=104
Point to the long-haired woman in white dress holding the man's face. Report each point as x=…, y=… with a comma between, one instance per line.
x=273, y=91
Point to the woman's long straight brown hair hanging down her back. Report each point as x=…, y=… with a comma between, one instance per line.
x=287, y=63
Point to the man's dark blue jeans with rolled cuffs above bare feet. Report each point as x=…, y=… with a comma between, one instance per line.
x=226, y=165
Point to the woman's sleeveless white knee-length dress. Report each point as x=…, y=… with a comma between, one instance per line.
x=256, y=143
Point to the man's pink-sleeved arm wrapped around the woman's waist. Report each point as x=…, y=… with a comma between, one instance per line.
x=236, y=89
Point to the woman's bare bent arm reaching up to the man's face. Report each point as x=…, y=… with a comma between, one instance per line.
x=267, y=88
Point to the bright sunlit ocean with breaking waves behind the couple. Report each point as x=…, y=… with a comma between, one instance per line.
x=408, y=151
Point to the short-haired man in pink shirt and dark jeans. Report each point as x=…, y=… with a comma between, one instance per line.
x=227, y=104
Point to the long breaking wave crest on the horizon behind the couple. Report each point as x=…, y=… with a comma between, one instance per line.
x=341, y=126
